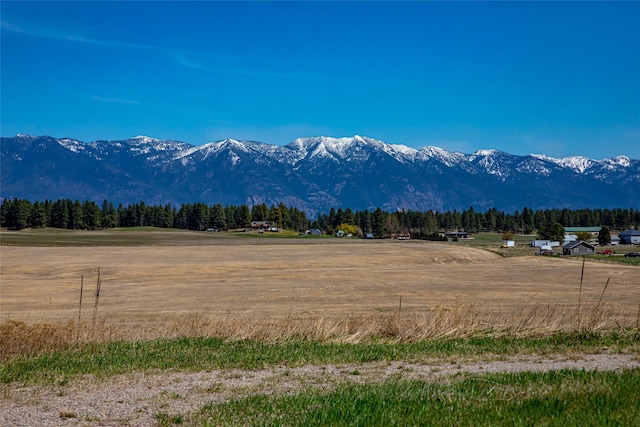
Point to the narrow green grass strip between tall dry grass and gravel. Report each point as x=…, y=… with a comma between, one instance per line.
x=195, y=354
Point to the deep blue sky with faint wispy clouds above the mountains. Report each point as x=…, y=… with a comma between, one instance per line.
x=559, y=78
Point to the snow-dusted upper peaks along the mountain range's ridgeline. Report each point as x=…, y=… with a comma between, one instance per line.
x=344, y=149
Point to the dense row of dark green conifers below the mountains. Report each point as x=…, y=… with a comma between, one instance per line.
x=88, y=215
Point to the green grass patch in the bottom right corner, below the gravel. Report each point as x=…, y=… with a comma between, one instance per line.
x=561, y=398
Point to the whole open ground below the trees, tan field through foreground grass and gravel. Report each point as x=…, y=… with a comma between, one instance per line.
x=279, y=329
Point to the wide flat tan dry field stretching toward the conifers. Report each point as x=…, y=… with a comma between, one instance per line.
x=182, y=283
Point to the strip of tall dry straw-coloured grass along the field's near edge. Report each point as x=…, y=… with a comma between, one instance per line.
x=20, y=338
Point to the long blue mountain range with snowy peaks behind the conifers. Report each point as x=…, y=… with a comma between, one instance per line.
x=312, y=174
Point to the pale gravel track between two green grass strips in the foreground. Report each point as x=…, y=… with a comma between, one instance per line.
x=136, y=398
